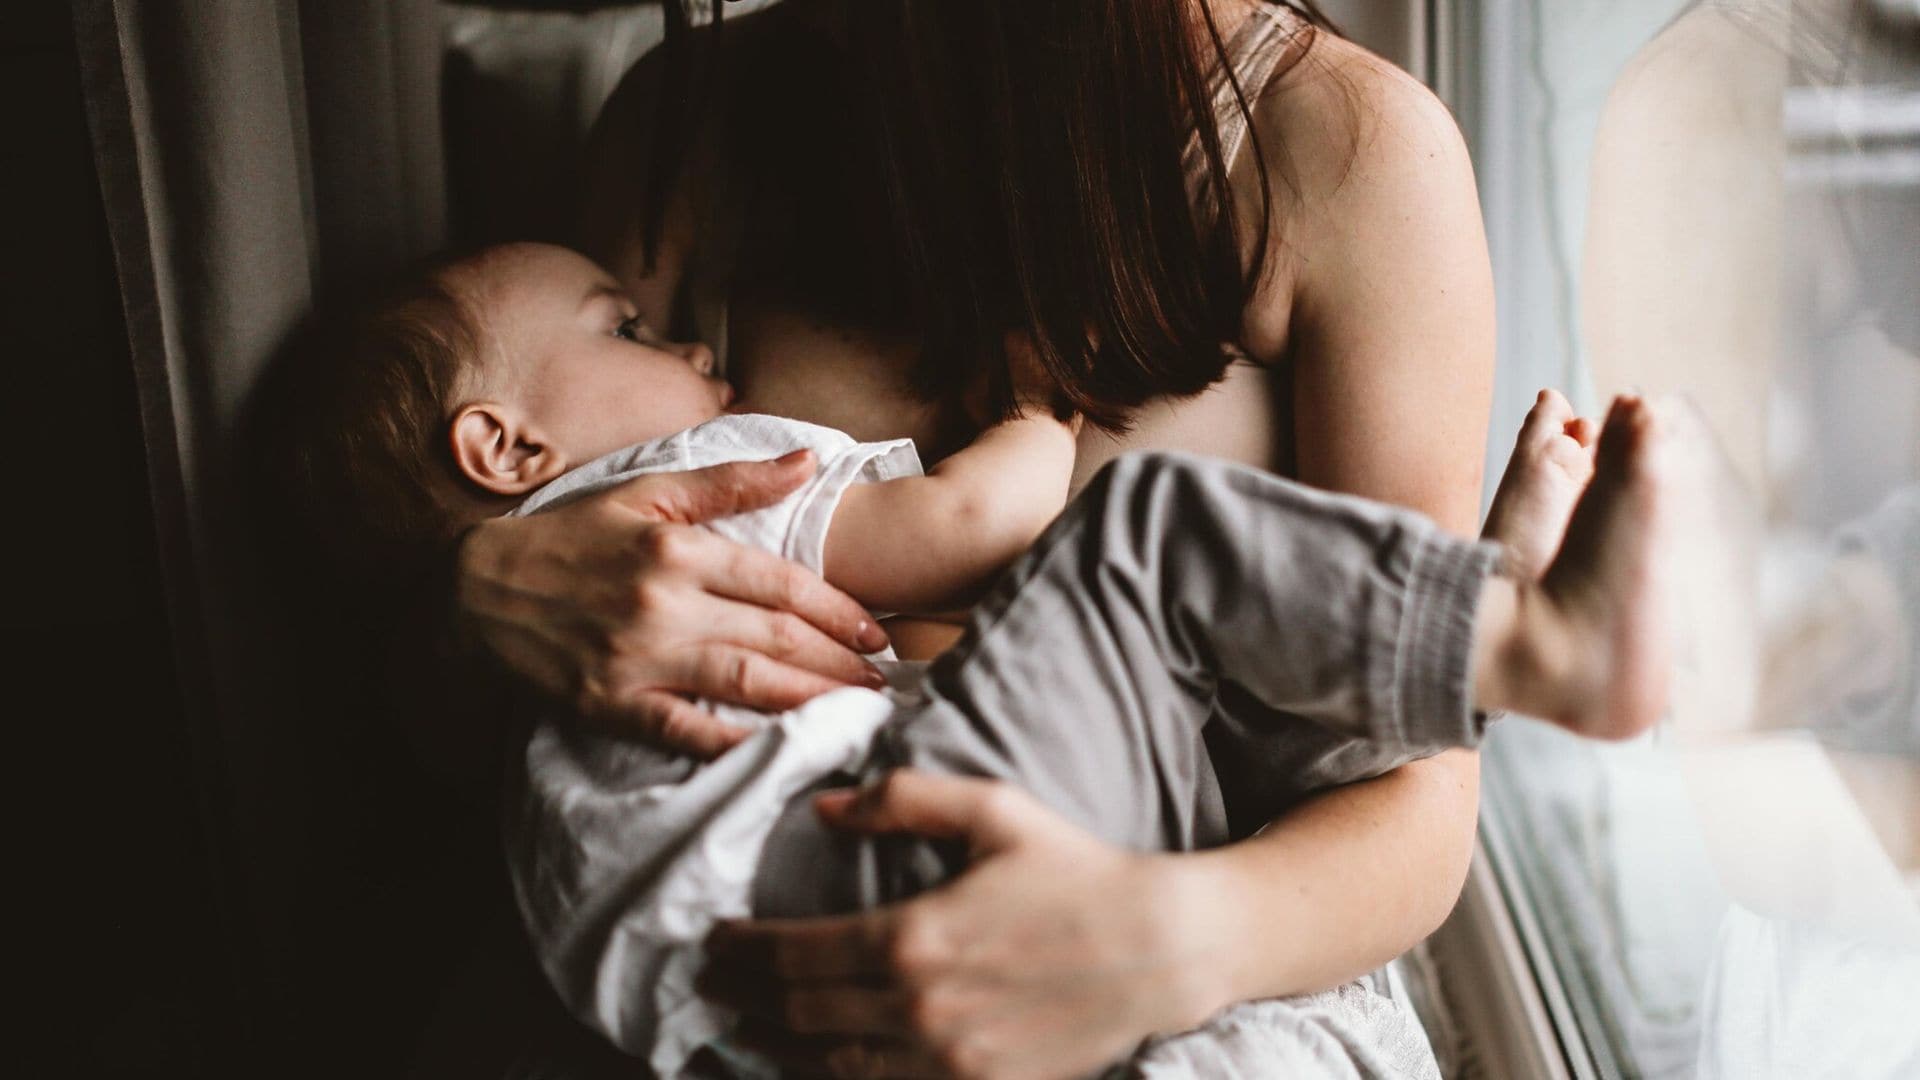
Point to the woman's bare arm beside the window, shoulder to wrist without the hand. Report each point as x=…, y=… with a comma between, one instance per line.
x=1391, y=345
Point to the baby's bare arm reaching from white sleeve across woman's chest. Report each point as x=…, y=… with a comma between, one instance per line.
x=934, y=543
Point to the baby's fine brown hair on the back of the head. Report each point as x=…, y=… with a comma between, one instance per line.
x=364, y=403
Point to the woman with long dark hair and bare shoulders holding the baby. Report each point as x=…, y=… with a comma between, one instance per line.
x=861, y=203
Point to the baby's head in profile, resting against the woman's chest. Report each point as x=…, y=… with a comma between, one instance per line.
x=471, y=385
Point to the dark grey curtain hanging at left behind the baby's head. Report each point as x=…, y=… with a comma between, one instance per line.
x=254, y=155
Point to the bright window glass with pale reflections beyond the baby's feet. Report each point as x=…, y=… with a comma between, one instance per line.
x=1723, y=199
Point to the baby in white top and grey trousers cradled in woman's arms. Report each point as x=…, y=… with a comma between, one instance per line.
x=1316, y=639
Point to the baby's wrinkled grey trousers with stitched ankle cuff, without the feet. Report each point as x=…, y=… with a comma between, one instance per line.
x=1090, y=672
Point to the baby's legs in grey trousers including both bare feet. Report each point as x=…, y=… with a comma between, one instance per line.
x=1182, y=589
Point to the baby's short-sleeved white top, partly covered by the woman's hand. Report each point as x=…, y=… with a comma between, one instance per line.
x=623, y=856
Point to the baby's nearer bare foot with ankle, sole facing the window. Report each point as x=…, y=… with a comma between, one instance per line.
x=1600, y=622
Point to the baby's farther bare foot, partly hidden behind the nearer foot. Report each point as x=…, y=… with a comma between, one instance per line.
x=1552, y=464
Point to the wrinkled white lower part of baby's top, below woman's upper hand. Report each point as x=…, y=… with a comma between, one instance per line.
x=625, y=860
